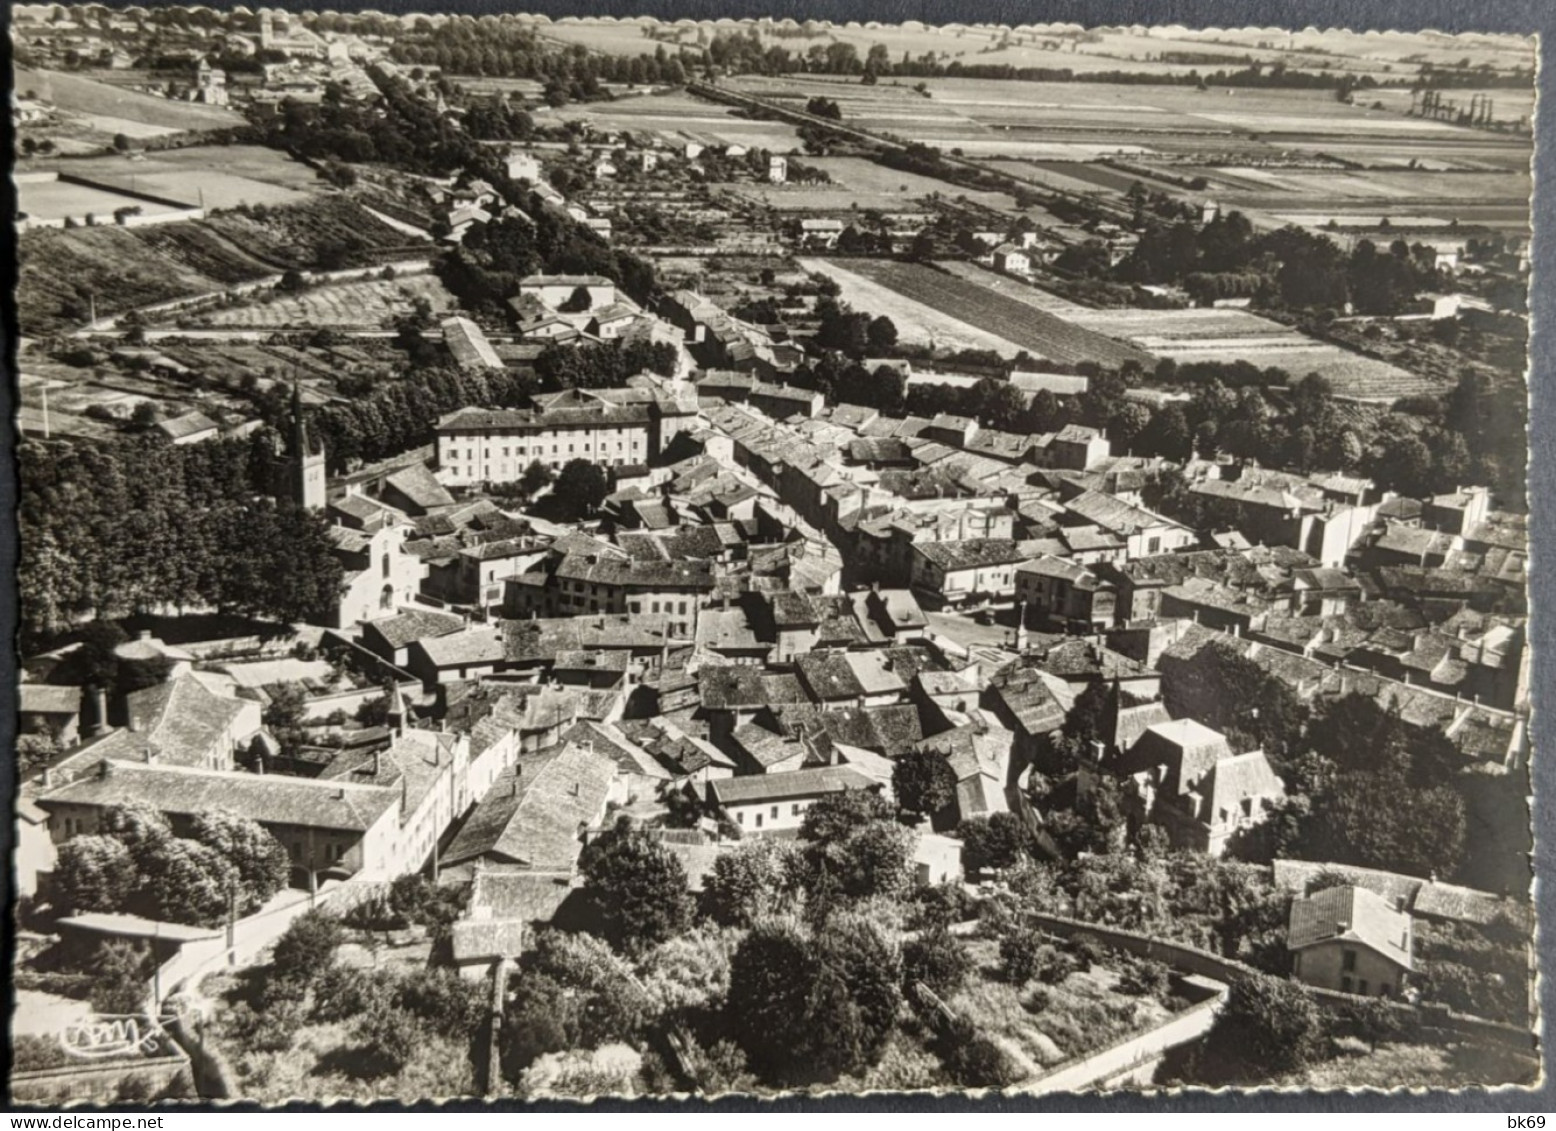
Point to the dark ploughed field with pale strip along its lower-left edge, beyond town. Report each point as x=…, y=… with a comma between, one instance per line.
x=997, y=315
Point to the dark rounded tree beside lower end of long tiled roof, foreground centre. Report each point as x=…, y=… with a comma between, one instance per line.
x=637, y=884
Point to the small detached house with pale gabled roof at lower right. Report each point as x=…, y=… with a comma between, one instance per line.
x=1350, y=939
